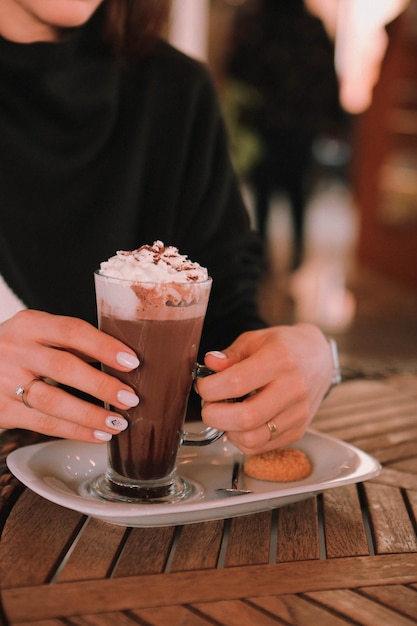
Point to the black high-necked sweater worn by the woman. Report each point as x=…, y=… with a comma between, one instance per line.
x=96, y=157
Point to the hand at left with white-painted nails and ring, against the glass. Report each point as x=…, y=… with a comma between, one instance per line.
x=60, y=349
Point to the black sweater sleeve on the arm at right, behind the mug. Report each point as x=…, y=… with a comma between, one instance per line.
x=215, y=226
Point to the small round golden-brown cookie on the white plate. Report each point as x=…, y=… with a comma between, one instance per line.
x=281, y=465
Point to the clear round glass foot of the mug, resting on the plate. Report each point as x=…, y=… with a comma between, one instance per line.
x=115, y=488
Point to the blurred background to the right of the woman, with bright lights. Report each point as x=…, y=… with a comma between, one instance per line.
x=320, y=103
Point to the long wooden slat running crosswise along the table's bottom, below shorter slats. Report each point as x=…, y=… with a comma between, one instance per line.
x=49, y=601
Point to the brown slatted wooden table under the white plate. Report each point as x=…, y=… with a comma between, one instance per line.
x=347, y=556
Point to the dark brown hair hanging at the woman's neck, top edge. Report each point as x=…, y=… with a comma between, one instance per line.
x=131, y=27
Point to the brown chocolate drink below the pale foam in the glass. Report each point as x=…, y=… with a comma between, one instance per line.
x=167, y=351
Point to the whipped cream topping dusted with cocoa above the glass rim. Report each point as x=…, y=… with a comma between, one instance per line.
x=156, y=263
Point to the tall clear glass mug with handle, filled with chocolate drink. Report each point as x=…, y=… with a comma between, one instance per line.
x=162, y=323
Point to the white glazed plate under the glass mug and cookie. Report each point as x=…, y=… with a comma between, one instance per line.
x=59, y=471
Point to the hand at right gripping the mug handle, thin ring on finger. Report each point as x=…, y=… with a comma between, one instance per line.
x=285, y=370
